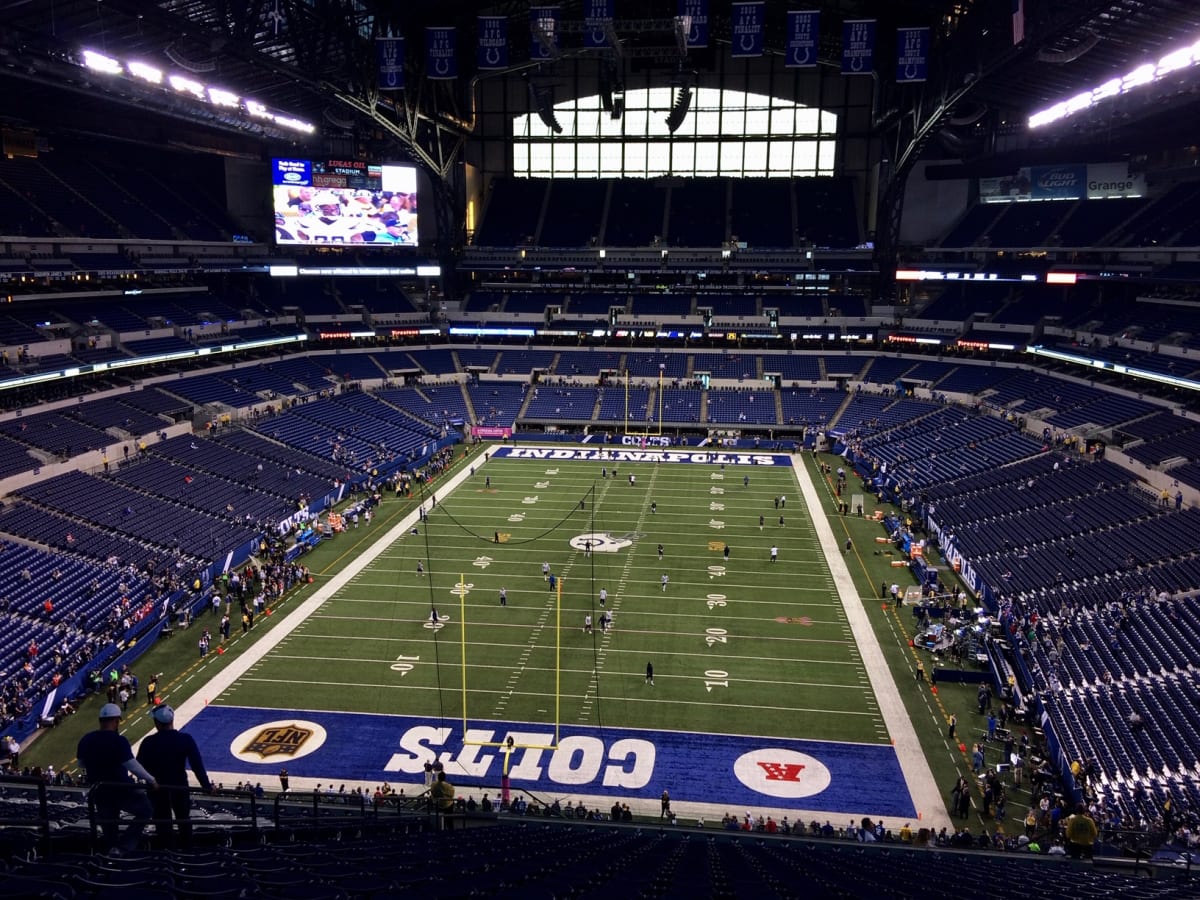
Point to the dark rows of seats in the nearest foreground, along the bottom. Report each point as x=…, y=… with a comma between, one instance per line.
x=509, y=856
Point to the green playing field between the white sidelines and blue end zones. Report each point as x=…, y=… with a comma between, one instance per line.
x=746, y=647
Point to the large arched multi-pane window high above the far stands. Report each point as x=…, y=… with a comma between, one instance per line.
x=727, y=133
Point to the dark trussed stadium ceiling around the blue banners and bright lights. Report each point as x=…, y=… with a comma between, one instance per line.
x=314, y=59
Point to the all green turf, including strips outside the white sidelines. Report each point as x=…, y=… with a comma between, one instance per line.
x=787, y=680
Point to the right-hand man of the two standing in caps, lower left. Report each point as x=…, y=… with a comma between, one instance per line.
x=166, y=754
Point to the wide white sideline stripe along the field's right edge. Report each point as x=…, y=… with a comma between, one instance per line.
x=914, y=765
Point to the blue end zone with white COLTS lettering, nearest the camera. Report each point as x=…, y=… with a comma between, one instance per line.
x=743, y=772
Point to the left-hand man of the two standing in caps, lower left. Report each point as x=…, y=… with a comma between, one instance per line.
x=109, y=760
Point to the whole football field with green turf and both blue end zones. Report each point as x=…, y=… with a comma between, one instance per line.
x=760, y=693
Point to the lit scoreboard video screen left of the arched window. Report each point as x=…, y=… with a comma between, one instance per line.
x=337, y=202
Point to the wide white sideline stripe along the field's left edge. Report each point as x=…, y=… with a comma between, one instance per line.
x=193, y=707
